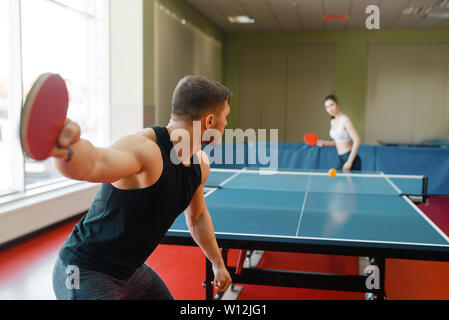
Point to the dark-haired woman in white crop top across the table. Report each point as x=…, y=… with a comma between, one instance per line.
x=344, y=136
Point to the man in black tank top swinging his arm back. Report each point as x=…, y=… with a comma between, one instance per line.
x=143, y=191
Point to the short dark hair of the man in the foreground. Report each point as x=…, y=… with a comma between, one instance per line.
x=195, y=95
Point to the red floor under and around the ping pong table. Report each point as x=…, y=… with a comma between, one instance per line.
x=25, y=268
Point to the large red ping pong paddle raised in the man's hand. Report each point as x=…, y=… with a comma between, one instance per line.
x=43, y=115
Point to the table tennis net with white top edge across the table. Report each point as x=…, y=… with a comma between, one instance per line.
x=304, y=181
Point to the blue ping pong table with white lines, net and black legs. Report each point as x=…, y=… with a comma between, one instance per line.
x=353, y=214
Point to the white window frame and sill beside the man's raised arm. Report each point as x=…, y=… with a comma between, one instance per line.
x=22, y=199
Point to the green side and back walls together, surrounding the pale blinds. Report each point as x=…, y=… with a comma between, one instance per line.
x=351, y=55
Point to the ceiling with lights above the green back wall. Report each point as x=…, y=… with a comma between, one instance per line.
x=307, y=15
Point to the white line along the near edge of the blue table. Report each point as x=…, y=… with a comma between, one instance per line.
x=327, y=239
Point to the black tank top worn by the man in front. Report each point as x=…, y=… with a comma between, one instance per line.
x=123, y=227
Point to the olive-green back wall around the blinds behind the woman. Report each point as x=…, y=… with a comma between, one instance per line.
x=351, y=61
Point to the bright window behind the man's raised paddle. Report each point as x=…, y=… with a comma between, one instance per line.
x=67, y=37
